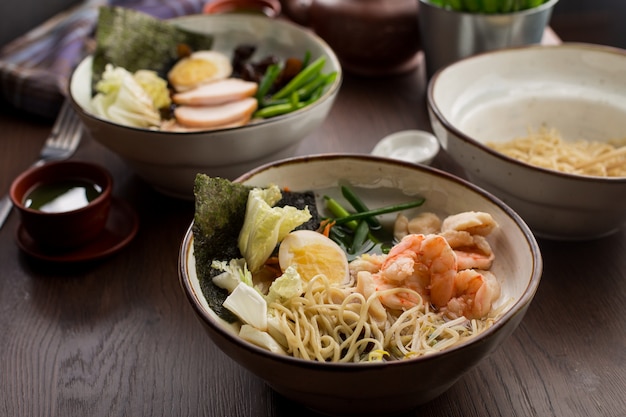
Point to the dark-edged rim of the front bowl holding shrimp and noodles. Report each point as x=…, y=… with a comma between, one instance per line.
x=516, y=308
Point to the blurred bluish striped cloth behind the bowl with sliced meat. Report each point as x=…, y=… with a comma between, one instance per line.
x=36, y=67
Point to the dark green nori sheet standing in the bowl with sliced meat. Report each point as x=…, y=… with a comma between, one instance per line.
x=135, y=40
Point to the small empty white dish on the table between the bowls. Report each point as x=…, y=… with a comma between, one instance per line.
x=416, y=146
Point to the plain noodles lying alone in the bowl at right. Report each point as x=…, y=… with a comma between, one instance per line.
x=546, y=148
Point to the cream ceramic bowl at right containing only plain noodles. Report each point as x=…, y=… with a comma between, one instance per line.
x=578, y=89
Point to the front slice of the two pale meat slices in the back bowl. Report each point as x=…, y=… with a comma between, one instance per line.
x=215, y=116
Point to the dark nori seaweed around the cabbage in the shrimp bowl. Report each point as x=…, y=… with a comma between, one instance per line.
x=220, y=211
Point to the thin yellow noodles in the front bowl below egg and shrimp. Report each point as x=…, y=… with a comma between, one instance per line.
x=331, y=323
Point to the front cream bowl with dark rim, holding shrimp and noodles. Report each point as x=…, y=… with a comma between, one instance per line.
x=377, y=388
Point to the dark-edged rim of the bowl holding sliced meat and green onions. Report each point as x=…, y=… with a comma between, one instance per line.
x=328, y=94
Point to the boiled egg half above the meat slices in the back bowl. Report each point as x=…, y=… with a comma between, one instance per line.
x=199, y=68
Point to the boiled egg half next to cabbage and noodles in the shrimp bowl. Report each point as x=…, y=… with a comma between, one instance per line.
x=312, y=253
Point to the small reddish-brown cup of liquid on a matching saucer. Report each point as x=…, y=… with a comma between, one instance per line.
x=69, y=228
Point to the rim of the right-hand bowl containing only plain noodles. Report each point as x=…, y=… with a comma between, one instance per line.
x=544, y=49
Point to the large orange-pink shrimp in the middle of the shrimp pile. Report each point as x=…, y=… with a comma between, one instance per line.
x=423, y=264
